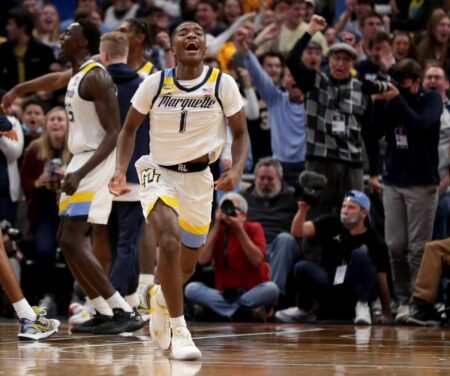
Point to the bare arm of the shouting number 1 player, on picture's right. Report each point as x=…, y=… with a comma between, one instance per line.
x=239, y=151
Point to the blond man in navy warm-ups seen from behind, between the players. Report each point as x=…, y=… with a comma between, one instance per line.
x=126, y=217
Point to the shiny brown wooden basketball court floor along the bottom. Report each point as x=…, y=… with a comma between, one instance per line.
x=237, y=349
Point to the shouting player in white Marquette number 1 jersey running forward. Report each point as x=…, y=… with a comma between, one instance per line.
x=188, y=107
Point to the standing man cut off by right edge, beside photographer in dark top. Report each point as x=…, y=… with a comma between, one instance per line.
x=436, y=78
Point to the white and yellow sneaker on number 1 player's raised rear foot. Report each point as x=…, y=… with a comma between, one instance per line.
x=159, y=320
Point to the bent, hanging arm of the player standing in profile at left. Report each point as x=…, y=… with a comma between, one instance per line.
x=99, y=87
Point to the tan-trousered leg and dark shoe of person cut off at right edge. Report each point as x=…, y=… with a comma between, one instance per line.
x=435, y=263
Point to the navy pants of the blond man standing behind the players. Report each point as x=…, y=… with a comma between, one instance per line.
x=124, y=225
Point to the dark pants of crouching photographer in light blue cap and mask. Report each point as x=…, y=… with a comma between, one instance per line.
x=314, y=283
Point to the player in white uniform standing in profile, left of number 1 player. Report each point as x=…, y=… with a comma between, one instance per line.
x=93, y=116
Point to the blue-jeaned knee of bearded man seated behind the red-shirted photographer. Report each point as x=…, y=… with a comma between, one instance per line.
x=282, y=254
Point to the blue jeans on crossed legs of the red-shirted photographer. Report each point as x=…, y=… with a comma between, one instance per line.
x=265, y=294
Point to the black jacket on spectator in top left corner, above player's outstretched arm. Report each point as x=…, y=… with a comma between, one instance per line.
x=38, y=59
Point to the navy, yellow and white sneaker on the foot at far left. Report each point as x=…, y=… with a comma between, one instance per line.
x=41, y=328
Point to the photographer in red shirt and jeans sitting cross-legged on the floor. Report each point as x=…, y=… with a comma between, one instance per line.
x=242, y=285
